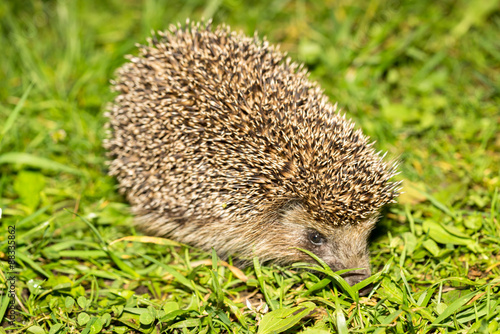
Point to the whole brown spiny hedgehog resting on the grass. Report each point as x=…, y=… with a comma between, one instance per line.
x=218, y=140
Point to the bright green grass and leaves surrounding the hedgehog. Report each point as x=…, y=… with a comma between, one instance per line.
x=420, y=77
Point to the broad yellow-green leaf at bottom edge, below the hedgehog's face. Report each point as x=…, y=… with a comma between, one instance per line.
x=282, y=319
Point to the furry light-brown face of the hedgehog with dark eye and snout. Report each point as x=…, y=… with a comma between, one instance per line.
x=341, y=247
